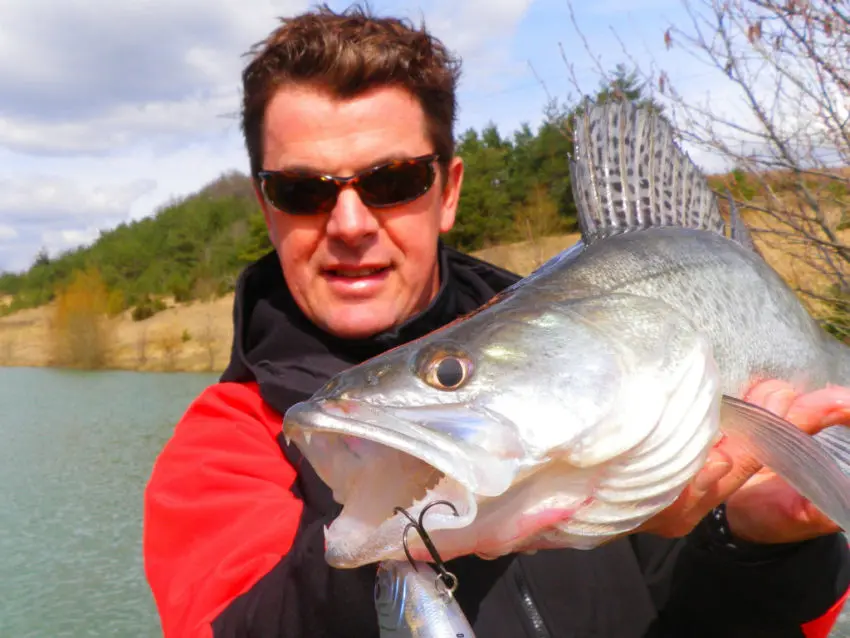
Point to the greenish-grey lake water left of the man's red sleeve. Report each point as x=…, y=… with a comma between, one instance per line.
x=77, y=449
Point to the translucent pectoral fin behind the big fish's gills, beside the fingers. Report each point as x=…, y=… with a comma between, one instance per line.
x=813, y=468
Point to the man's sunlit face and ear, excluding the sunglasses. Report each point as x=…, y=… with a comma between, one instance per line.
x=356, y=271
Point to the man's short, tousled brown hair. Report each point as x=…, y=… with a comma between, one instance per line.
x=348, y=54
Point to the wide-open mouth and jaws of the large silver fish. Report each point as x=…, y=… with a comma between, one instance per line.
x=376, y=459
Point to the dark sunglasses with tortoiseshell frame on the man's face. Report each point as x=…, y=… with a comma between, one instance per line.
x=392, y=184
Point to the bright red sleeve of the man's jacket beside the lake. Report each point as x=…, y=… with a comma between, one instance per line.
x=218, y=510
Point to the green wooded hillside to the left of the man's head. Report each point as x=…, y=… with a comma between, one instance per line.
x=189, y=249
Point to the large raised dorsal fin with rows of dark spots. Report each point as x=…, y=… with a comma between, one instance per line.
x=629, y=174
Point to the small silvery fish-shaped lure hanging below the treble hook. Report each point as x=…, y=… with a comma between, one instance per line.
x=412, y=603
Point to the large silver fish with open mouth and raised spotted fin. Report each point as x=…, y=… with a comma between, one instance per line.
x=582, y=400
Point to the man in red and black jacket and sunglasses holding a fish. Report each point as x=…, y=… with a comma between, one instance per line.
x=234, y=517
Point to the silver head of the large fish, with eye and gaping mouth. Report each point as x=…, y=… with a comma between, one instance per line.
x=508, y=419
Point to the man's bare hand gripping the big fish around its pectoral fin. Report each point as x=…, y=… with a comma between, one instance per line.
x=761, y=506
